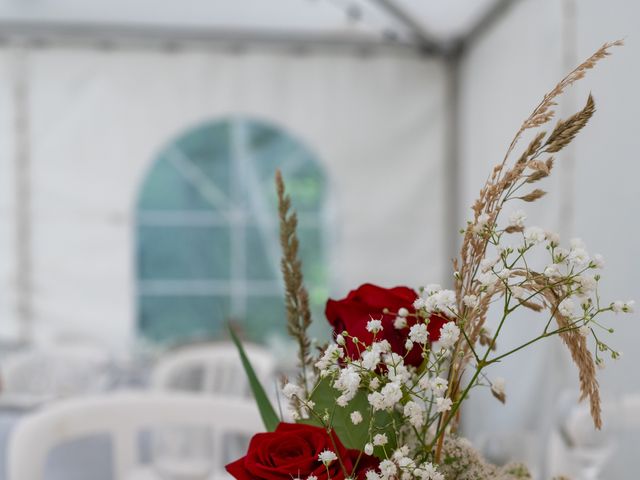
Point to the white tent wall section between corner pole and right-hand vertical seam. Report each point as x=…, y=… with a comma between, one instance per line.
x=498, y=92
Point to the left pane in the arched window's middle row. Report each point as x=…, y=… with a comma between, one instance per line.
x=185, y=252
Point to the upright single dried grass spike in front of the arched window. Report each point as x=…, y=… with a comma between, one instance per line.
x=296, y=295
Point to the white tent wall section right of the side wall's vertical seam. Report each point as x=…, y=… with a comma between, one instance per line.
x=607, y=194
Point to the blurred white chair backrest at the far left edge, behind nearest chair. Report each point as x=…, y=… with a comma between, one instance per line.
x=55, y=371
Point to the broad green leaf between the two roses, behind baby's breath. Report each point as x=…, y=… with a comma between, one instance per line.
x=352, y=436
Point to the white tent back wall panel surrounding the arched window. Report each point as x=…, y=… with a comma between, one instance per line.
x=99, y=118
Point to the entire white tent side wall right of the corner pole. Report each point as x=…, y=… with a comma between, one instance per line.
x=504, y=76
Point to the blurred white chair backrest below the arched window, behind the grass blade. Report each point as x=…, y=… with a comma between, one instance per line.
x=213, y=368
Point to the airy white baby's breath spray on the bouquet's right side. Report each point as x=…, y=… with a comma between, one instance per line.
x=570, y=277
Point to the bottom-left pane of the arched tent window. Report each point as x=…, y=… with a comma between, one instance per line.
x=176, y=319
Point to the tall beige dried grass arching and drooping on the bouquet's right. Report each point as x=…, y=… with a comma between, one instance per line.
x=500, y=187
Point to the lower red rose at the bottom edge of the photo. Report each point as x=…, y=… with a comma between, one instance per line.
x=292, y=452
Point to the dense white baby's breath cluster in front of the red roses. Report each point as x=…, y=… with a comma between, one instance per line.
x=389, y=384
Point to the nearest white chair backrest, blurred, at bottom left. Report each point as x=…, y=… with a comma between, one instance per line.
x=123, y=416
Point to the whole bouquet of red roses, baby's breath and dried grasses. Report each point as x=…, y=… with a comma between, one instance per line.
x=383, y=399
